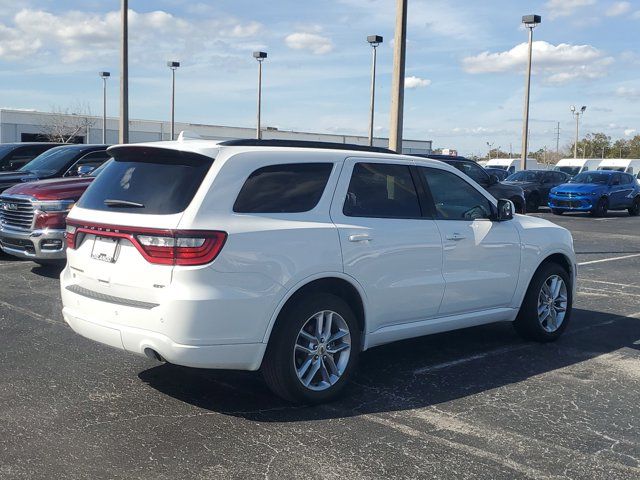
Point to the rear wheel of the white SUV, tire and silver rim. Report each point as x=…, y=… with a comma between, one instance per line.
x=313, y=350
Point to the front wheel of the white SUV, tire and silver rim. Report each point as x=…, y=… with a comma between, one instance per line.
x=546, y=309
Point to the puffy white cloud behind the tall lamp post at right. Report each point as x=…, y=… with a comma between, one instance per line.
x=558, y=63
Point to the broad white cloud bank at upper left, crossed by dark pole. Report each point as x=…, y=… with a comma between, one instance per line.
x=76, y=36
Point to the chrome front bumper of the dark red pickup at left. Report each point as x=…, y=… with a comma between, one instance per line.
x=48, y=244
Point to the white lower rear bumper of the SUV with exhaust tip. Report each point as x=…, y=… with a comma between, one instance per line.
x=245, y=356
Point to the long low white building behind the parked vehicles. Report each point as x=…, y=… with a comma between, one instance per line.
x=31, y=125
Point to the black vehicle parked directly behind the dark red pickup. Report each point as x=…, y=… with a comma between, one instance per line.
x=61, y=161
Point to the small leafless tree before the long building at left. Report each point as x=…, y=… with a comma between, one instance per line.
x=65, y=125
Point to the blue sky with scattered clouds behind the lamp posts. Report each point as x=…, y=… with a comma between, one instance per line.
x=465, y=64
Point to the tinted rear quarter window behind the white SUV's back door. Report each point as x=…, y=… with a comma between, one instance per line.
x=288, y=188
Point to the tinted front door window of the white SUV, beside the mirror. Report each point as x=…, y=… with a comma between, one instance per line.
x=454, y=198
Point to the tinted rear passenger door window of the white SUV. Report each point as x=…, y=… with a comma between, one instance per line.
x=383, y=191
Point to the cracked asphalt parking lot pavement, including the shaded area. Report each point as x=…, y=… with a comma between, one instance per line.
x=476, y=403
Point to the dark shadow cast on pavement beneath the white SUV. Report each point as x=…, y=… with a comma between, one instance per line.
x=387, y=381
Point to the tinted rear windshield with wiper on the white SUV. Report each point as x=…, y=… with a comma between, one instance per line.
x=157, y=183
